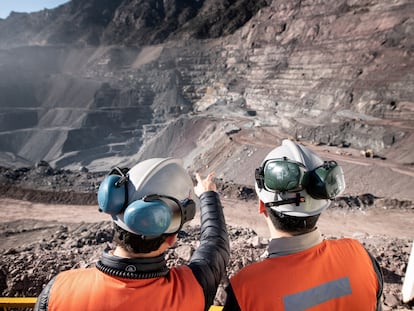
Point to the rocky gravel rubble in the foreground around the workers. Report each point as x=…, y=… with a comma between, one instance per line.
x=26, y=268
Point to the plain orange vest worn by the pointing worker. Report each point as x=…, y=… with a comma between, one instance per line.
x=90, y=289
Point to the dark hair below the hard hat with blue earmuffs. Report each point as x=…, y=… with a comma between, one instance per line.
x=135, y=243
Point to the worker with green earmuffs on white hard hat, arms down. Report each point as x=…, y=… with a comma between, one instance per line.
x=302, y=270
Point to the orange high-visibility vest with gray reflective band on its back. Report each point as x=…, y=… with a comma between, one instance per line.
x=333, y=275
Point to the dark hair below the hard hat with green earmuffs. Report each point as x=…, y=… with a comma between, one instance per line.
x=292, y=224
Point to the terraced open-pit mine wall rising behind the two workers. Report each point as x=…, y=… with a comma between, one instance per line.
x=97, y=83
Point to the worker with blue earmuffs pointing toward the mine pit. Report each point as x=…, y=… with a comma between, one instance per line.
x=149, y=205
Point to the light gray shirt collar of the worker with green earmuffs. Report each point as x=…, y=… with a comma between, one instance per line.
x=291, y=245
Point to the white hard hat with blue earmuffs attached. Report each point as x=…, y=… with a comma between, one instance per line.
x=155, y=196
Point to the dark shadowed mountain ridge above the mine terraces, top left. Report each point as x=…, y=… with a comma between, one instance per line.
x=126, y=22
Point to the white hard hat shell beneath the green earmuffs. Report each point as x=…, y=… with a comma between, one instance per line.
x=305, y=160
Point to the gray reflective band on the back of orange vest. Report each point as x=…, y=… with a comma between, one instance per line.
x=317, y=295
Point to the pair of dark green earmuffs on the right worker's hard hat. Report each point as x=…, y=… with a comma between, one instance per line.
x=284, y=175
